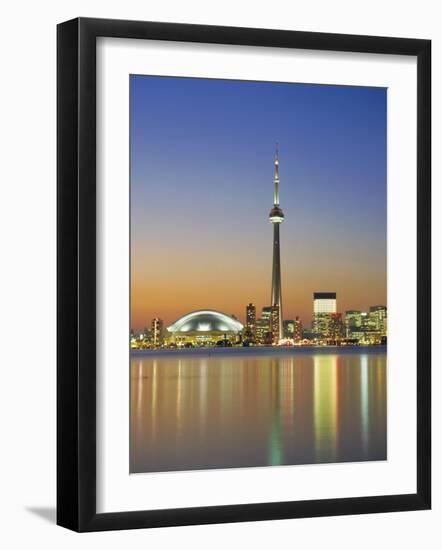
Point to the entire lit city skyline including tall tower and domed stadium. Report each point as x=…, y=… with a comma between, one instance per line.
x=209, y=328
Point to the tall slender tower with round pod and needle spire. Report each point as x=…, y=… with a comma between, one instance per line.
x=276, y=217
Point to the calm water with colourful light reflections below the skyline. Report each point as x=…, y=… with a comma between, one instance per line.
x=248, y=407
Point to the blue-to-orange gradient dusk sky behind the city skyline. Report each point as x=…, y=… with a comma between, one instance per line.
x=202, y=155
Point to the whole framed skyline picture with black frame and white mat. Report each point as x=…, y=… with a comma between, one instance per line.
x=243, y=274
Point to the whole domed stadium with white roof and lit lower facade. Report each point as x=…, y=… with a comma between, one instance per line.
x=204, y=327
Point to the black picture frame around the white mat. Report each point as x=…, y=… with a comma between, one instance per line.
x=77, y=287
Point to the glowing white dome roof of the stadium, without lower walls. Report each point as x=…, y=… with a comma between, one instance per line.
x=205, y=321
